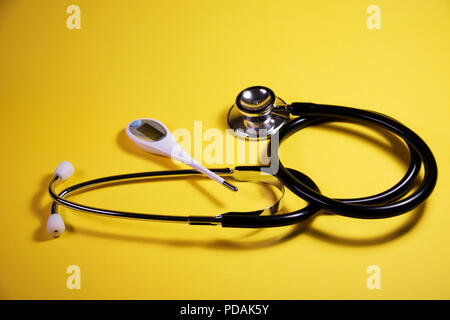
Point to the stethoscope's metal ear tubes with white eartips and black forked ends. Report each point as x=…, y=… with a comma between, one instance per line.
x=261, y=218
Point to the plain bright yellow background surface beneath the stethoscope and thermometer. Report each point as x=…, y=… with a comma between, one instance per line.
x=68, y=94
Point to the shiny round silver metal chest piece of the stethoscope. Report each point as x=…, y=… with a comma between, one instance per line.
x=257, y=113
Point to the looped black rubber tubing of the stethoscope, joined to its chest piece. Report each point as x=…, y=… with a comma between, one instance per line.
x=383, y=205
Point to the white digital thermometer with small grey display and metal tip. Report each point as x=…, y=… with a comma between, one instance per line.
x=153, y=136
